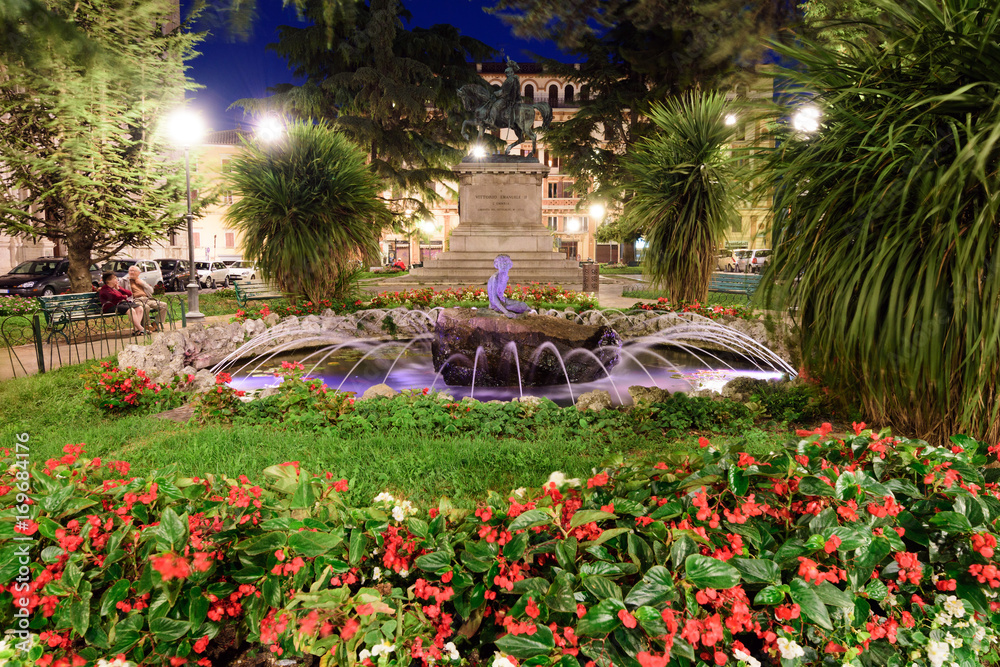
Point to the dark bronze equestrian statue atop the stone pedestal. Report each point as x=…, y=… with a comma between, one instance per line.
x=498, y=108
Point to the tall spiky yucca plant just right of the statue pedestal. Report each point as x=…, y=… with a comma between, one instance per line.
x=685, y=189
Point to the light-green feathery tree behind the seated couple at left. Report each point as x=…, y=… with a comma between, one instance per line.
x=81, y=162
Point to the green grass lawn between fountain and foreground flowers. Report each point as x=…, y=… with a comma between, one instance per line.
x=54, y=411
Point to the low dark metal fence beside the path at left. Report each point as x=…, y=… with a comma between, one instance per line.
x=38, y=342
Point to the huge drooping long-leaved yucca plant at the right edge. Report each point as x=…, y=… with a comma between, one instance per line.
x=886, y=235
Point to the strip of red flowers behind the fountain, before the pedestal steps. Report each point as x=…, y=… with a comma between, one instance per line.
x=534, y=294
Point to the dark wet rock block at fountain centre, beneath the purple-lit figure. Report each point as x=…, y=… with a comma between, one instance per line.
x=486, y=349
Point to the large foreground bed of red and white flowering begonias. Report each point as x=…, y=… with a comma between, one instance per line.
x=863, y=550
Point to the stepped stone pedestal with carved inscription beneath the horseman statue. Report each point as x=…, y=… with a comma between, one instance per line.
x=500, y=212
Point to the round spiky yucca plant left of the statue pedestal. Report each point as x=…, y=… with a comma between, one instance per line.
x=309, y=208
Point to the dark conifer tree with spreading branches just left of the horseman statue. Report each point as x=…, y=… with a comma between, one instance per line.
x=391, y=90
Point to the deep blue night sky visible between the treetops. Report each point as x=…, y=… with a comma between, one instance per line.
x=231, y=70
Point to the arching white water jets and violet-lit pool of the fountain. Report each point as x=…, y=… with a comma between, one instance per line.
x=677, y=357
